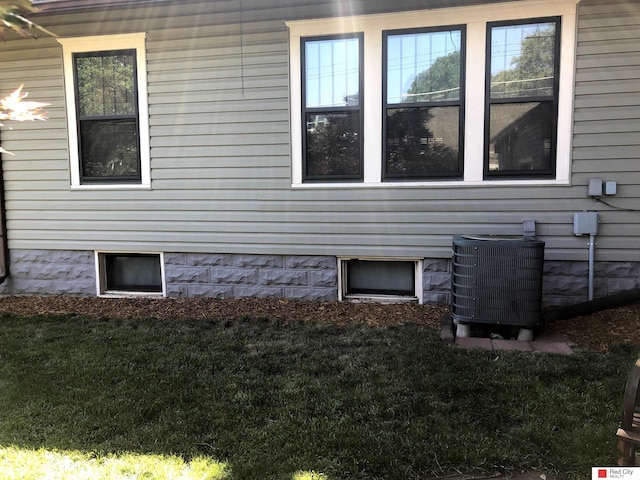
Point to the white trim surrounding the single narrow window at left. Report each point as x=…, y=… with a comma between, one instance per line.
x=96, y=44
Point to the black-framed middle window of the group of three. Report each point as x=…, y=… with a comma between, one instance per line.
x=423, y=108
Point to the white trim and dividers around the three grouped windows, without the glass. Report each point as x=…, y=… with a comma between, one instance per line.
x=475, y=18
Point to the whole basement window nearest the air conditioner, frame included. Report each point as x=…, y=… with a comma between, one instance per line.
x=365, y=279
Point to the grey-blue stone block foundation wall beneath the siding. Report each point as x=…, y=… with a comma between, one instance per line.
x=55, y=272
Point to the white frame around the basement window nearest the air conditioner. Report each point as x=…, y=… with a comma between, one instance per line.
x=344, y=295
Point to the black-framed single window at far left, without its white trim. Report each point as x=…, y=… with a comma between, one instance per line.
x=107, y=116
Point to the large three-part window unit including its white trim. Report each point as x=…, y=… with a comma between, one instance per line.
x=462, y=96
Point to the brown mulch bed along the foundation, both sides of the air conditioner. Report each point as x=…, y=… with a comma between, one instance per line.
x=596, y=331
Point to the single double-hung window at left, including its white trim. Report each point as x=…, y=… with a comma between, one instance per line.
x=107, y=111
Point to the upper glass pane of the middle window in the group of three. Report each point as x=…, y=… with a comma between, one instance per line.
x=423, y=67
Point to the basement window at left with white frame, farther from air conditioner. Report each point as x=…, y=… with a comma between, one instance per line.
x=130, y=274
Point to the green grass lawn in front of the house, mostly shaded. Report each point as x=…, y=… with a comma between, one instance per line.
x=251, y=399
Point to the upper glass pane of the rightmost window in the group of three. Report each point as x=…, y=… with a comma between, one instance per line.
x=523, y=60
